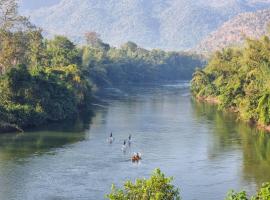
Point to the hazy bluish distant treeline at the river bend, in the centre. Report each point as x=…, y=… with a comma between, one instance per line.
x=131, y=64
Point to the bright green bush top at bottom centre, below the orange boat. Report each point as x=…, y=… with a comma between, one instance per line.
x=157, y=187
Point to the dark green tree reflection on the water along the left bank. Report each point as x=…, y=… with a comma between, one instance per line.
x=42, y=139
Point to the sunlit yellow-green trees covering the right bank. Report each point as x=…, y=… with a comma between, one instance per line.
x=239, y=79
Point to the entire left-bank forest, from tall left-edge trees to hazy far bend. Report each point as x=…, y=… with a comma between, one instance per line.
x=45, y=80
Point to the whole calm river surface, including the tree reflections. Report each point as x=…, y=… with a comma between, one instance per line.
x=208, y=152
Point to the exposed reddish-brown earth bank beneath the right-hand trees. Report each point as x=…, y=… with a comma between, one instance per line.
x=216, y=101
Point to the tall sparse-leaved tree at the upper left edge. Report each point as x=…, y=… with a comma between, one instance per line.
x=14, y=36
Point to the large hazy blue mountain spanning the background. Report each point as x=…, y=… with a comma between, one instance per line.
x=167, y=24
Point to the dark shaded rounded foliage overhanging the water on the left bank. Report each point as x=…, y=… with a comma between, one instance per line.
x=34, y=97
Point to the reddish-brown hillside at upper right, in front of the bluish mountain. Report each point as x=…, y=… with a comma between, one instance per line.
x=234, y=32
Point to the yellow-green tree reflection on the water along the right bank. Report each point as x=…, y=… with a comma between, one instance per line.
x=230, y=135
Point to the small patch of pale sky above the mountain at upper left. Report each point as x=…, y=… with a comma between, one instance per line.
x=33, y=4
